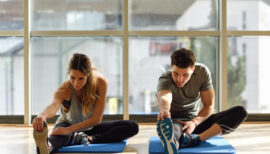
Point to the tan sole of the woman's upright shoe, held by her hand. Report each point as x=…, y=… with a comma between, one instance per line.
x=41, y=140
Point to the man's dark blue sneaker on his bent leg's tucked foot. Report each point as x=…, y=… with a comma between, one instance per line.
x=189, y=140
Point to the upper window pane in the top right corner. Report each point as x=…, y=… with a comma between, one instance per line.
x=248, y=14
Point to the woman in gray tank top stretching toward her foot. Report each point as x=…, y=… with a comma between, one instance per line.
x=82, y=102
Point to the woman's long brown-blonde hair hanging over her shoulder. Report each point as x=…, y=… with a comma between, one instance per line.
x=82, y=63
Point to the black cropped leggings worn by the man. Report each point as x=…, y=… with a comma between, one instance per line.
x=228, y=120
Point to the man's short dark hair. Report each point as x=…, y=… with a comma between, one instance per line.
x=183, y=58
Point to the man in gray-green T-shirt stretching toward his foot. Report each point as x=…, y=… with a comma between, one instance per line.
x=179, y=93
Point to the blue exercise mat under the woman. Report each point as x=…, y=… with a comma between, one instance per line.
x=95, y=148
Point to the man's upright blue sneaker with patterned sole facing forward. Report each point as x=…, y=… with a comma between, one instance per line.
x=165, y=133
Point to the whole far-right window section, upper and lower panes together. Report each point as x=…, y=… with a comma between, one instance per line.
x=247, y=54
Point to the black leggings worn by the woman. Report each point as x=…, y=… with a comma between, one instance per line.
x=115, y=131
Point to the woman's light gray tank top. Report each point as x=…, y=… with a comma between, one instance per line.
x=74, y=114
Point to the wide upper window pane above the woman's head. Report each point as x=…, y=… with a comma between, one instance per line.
x=76, y=15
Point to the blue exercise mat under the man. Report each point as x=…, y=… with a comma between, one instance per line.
x=217, y=145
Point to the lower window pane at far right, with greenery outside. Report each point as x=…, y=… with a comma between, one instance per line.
x=249, y=73
